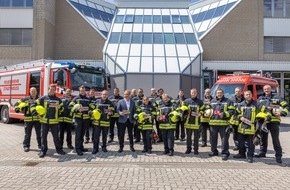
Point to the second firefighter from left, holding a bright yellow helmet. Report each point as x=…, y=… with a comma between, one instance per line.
x=49, y=108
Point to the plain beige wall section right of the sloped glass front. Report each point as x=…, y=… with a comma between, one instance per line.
x=238, y=36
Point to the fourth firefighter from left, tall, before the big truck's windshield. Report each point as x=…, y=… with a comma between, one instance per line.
x=80, y=107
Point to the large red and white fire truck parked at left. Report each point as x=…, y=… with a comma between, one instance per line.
x=16, y=80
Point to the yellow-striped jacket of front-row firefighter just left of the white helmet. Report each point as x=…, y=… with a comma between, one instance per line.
x=195, y=109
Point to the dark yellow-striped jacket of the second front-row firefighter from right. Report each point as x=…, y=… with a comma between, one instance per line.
x=249, y=110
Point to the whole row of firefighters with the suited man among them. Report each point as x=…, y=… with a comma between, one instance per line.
x=250, y=121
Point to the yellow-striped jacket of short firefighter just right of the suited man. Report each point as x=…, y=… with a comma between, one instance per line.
x=150, y=113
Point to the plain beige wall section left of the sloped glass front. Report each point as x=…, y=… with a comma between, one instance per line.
x=75, y=38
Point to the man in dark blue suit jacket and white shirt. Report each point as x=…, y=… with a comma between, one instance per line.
x=126, y=108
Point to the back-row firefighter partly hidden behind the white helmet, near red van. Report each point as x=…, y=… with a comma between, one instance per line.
x=204, y=121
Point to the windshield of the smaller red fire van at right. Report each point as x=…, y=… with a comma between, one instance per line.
x=229, y=89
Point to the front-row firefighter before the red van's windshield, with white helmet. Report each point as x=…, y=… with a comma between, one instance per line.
x=222, y=109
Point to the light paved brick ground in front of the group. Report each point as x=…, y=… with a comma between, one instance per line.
x=112, y=170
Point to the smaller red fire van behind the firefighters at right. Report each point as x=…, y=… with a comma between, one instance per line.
x=244, y=81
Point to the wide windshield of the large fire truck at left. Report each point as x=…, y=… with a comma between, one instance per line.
x=88, y=79
